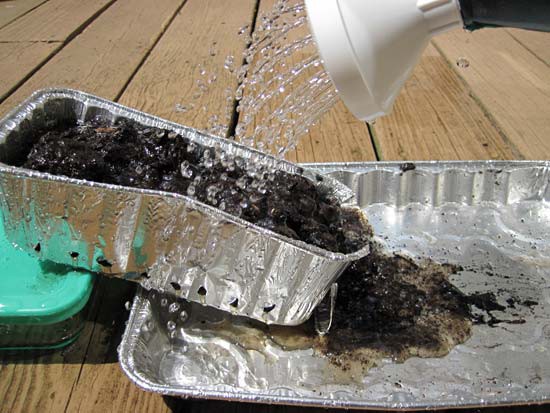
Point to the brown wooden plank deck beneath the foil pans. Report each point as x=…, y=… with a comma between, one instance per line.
x=146, y=54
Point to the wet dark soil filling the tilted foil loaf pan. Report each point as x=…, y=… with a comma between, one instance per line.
x=133, y=155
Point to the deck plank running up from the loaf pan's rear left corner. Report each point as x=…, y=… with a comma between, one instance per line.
x=103, y=58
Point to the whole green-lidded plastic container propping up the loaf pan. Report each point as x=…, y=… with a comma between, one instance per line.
x=42, y=305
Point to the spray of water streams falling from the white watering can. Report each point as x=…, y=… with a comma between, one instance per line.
x=284, y=88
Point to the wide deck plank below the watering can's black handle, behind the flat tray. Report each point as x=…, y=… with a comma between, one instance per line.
x=511, y=83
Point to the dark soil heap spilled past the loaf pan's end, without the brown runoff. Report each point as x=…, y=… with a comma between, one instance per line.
x=389, y=306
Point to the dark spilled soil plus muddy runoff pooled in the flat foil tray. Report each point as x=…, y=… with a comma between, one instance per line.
x=388, y=307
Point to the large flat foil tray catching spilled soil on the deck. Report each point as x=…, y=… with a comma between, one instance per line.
x=489, y=216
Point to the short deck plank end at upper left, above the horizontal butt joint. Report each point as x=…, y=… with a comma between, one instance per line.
x=54, y=21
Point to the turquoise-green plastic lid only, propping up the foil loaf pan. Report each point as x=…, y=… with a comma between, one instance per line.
x=33, y=292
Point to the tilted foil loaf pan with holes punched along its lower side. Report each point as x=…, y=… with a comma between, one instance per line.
x=164, y=241
